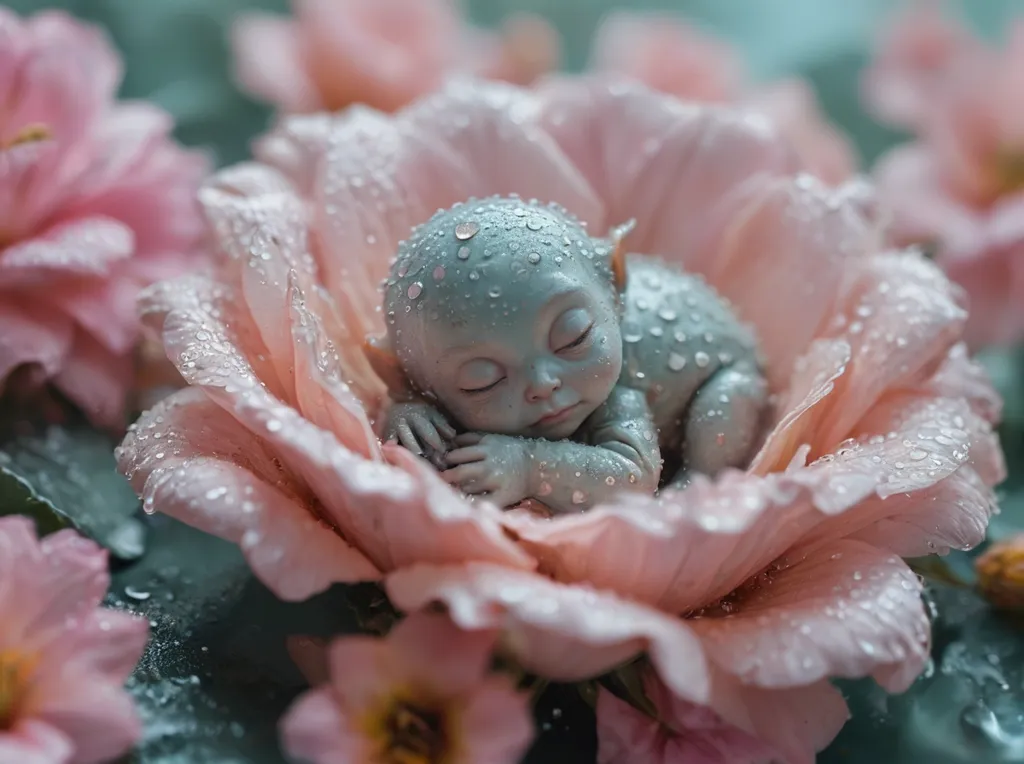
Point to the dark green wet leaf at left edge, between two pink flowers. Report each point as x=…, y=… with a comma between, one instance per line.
x=65, y=477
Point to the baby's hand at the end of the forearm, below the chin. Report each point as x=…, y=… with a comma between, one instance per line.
x=495, y=468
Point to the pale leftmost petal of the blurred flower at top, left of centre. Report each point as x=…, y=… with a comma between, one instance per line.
x=269, y=62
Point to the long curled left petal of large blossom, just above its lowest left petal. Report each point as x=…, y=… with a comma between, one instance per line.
x=417, y=518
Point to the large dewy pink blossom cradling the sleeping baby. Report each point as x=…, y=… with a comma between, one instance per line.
x=749, y=591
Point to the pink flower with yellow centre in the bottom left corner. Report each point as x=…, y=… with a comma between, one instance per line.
x=63, y=658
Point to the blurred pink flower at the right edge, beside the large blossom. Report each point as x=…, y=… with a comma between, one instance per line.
x=959, y=187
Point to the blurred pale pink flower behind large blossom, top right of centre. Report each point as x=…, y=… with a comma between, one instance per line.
x=668, y=55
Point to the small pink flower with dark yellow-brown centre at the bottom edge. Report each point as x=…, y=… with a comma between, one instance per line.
x=421, y=695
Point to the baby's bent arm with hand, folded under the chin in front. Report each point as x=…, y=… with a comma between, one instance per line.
x=621, y=453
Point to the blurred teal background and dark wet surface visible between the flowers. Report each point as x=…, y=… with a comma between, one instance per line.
x=217, y=677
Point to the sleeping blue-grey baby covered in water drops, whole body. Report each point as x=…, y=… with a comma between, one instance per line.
x=532, y=375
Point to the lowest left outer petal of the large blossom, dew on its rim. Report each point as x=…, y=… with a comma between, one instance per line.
x=224, y=484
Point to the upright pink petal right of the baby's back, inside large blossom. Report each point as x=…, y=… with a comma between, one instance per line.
x=780, y=228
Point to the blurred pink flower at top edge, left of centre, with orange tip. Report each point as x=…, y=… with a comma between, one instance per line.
x=383, y=54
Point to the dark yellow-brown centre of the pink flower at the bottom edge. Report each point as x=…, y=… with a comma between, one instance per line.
x=406, y=732
